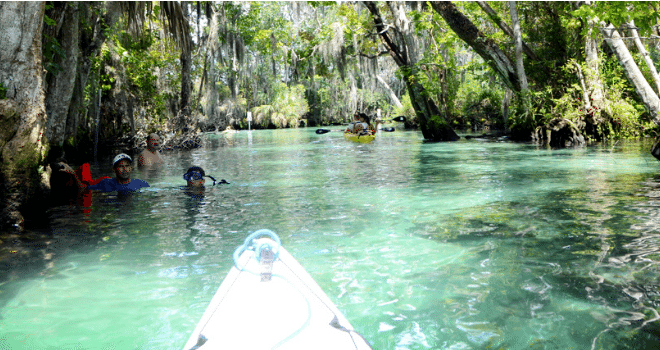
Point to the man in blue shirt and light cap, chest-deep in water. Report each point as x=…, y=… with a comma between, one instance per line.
x=122, y=165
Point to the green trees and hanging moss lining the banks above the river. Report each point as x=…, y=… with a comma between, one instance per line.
x=87, y=78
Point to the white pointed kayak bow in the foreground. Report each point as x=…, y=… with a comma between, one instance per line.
x=288, y=310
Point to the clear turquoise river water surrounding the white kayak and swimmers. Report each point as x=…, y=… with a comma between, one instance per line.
x=475, y=244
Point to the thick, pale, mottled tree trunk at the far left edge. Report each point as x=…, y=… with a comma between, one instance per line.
x=23, y=113
